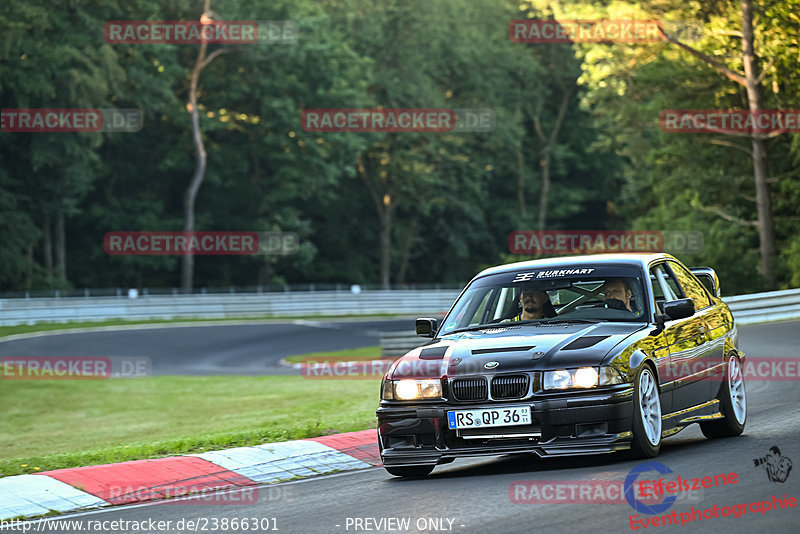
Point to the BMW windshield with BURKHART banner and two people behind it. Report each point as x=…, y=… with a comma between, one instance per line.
x=581, y=294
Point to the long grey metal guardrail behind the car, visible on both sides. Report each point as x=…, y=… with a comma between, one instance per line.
x=748, y=309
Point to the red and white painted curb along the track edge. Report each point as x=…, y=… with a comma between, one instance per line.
x=78, y=488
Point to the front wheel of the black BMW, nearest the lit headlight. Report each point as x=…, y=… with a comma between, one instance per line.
x=646, y=441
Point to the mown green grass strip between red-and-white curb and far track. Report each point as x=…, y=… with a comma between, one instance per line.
x=56, y=424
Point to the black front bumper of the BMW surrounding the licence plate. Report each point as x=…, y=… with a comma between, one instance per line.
x=567, y=424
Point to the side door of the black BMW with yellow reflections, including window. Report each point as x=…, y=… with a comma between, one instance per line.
x=686, y=340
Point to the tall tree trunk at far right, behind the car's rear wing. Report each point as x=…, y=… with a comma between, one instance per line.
x=766, y=230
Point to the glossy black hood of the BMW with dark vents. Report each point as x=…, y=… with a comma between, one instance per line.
x=514, y=348
